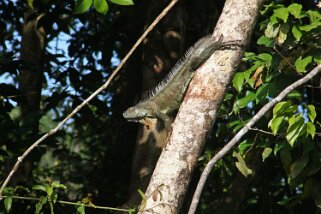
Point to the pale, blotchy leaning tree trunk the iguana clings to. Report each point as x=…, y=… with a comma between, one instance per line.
x=197, y=114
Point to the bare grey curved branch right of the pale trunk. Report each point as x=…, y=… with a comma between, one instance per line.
x=242, y=132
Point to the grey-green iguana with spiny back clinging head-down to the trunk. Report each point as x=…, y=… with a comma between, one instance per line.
x=168, y=95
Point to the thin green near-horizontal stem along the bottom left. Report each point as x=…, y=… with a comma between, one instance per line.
x=69, y=203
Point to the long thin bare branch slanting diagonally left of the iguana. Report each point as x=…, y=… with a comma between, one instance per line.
x=104, y=86
